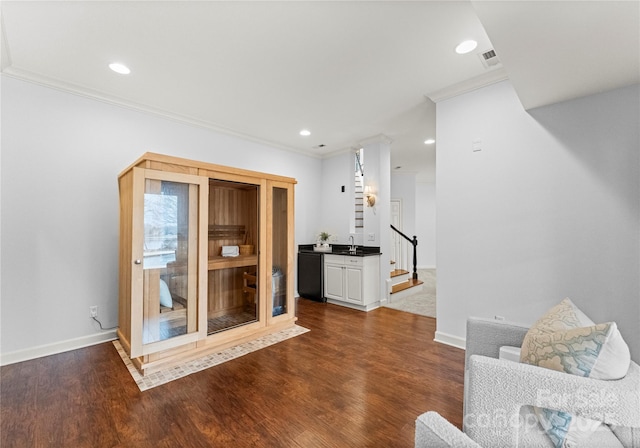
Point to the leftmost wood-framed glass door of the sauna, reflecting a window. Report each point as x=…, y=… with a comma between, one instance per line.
x=168, y=278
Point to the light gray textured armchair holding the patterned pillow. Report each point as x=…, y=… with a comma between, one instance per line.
x=499, y=395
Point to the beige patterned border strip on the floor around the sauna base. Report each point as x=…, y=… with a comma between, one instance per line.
x=173, y=373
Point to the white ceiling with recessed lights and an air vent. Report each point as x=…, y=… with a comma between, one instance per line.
x=347, y=71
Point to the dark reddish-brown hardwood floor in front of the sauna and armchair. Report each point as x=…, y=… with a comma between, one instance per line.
x=355, y=380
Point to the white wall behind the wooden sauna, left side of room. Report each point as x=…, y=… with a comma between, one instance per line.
x=61, y=155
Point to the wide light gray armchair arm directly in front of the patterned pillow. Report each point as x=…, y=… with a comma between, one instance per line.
x=496, y=391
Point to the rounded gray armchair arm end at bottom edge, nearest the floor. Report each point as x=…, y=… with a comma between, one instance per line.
x=433, y=431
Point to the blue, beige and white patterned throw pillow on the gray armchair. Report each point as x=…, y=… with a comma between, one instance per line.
x=566, y=340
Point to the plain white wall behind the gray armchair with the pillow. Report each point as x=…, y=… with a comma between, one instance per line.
x=547, y=209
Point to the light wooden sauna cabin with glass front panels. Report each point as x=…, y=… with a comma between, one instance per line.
x=206, y=258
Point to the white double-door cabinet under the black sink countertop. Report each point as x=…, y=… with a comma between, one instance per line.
x=352, y=281
